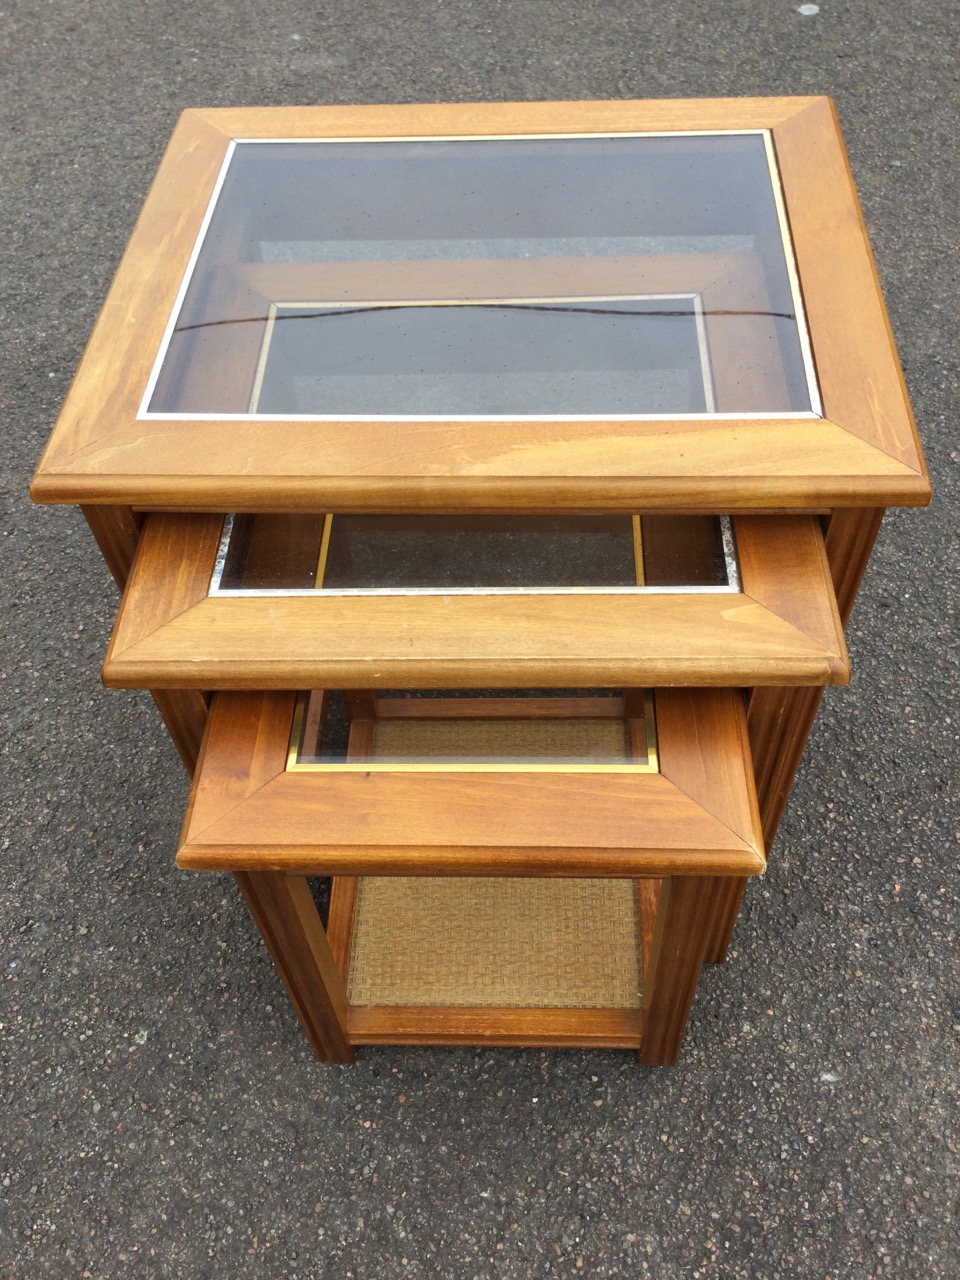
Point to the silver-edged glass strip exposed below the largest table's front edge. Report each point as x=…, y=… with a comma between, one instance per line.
x=474, y=554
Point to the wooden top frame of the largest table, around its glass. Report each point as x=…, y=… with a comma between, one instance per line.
x=862, y=451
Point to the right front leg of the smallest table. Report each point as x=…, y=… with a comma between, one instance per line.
x=682, y=930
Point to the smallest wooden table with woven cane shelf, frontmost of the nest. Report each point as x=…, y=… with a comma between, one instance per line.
x=482, y=895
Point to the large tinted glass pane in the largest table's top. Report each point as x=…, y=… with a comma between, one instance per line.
x=496, y=278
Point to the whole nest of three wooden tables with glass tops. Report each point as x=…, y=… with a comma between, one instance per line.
x=360, y=362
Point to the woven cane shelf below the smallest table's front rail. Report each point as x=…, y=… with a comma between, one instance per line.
x=524, y=944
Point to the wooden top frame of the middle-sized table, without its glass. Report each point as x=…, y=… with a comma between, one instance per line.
x=781, y=629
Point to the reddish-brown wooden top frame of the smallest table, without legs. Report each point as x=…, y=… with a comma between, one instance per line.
x=248, y=812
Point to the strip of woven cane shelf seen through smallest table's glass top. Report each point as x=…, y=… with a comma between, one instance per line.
x=509, y=739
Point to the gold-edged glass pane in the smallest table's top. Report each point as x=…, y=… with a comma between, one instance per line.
x=477, y=729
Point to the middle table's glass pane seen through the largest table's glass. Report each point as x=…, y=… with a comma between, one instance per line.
x=559, y=356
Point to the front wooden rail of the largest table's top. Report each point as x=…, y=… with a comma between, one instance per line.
x=662, y=465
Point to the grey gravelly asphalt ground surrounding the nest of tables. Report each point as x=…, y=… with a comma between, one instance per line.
x=162, y=1114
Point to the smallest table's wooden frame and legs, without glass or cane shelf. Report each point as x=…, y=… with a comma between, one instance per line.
x=684, y=833
